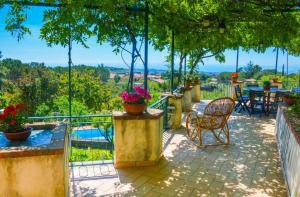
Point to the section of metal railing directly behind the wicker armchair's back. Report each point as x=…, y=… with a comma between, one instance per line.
x=214, y=90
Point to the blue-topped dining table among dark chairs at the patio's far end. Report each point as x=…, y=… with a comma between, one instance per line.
x=266, y=100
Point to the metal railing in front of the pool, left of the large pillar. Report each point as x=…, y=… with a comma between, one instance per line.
x=91, y=136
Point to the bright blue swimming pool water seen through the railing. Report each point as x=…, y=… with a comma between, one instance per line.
x=90, y=134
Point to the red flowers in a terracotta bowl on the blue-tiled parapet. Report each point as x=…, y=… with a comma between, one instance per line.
x=12, y=123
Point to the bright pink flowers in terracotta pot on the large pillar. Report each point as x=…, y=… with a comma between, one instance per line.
x=134, y=102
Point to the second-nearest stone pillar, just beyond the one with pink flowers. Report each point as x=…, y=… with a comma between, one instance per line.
x=176, y=101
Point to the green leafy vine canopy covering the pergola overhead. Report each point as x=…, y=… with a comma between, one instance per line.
x=201, y=28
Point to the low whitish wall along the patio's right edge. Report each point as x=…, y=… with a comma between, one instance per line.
x=289, y=150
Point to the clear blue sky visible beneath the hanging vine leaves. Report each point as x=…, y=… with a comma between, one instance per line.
x=33, y=49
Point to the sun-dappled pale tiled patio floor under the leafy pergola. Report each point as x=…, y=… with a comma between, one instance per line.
x=250, y=166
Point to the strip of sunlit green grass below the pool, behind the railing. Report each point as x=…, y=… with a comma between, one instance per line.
x=90, y=154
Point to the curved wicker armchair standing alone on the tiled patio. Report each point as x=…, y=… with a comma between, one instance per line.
x=214, y=119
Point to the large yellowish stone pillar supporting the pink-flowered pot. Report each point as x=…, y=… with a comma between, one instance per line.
x=138, y=139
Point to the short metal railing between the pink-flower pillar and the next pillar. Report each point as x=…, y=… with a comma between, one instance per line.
x=162, y=104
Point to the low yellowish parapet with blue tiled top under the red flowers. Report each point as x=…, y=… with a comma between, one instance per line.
x=32, y=168
